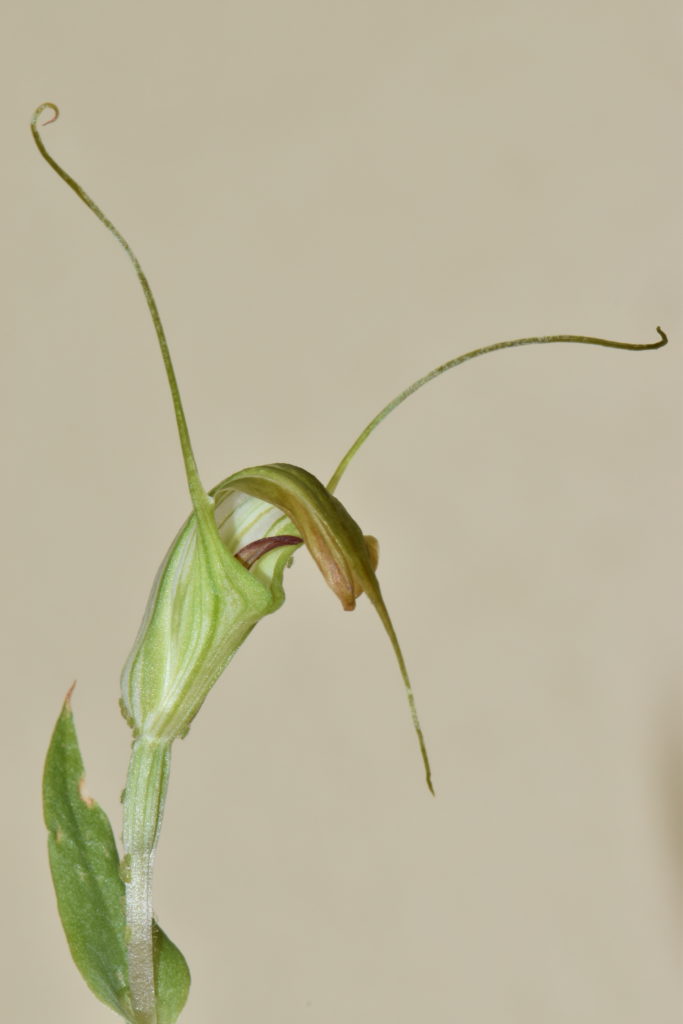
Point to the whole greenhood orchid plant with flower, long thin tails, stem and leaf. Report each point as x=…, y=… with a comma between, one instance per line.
x=223, y=574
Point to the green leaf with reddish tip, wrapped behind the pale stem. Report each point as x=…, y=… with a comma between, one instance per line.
x=88, y=879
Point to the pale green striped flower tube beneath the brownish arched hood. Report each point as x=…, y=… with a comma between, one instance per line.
x=203, y=606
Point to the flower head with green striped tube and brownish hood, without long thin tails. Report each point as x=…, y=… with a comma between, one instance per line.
x=223, y=574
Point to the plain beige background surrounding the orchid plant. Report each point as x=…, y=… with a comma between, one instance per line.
x=331, y=199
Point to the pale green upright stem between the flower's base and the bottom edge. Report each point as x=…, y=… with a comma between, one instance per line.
x=143, y=813
